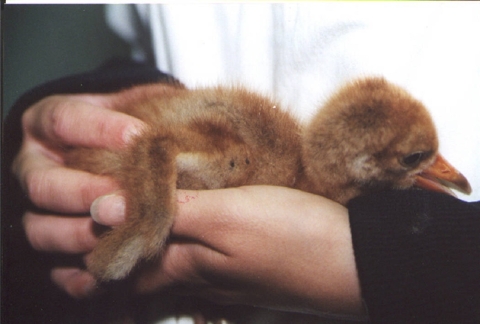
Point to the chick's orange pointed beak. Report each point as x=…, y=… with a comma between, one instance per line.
x=441, y=176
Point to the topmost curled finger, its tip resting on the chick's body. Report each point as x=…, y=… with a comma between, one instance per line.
x=62, y=120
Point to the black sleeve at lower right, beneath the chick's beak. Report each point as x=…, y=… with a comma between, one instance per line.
x=418, y=257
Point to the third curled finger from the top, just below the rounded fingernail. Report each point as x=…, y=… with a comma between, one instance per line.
x=52, y=233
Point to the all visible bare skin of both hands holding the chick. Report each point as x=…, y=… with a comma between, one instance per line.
x=218, y=235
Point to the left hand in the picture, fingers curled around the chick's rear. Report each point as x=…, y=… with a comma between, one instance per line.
x=61, y=194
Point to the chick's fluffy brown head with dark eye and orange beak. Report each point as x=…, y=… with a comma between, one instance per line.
x=373, y=135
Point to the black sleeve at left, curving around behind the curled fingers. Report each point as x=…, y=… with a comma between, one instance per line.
x=28, y=295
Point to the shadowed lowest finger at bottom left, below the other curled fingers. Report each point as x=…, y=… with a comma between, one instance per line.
x=75, y=282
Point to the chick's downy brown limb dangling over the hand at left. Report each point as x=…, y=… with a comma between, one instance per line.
x=147, y=173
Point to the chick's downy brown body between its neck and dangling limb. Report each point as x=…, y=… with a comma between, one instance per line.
x=225, y=136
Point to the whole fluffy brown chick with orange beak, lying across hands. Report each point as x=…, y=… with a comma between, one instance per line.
x=370, y=135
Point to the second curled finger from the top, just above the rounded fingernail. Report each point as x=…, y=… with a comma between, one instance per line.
x=51, y=186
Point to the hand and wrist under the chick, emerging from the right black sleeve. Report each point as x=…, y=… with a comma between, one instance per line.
x=261, y=245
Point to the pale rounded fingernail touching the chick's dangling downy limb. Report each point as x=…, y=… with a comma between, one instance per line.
x=108, y=210
